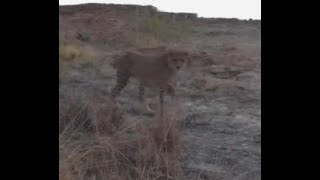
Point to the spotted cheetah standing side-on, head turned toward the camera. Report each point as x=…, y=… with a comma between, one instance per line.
x=157, y=70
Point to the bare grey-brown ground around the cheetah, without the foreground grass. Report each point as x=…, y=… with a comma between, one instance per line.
x=218, y=98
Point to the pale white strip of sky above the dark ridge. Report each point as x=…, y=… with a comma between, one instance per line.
x=241, y=9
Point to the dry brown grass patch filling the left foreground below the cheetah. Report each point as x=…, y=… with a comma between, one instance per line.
x=98, y=143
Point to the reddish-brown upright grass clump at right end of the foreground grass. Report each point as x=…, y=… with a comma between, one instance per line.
x=158, y=150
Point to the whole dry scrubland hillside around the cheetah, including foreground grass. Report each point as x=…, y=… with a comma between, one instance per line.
x=213, y=127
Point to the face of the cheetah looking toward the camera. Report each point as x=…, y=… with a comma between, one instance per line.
x=177, y=60
